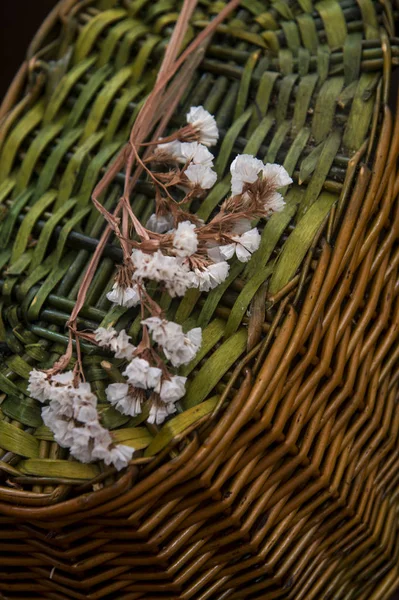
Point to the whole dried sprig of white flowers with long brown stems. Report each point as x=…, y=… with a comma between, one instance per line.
x=174, y=248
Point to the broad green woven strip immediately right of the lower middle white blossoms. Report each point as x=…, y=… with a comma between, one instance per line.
x=214, y=369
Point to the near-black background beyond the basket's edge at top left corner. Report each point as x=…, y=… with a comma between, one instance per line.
x=19, y=20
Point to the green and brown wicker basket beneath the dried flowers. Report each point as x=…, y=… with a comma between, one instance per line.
x=280, y=479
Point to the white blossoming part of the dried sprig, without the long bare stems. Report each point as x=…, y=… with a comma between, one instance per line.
x=178, y=252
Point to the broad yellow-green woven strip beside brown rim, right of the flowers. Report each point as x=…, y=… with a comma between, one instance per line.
x=299, y=242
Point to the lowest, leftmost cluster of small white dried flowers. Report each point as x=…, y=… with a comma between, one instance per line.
x=73, y=418
